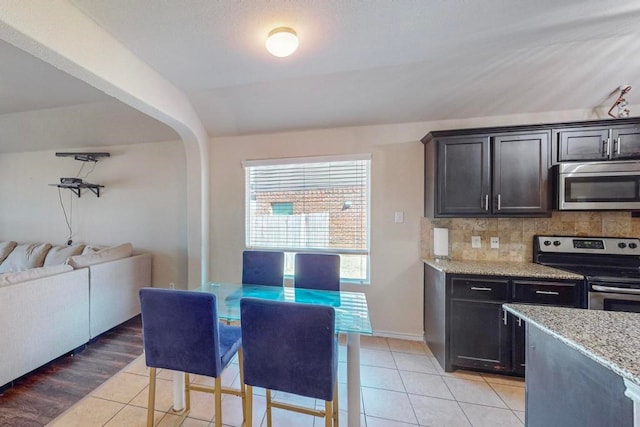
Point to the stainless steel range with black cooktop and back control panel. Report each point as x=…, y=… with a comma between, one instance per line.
x=610, y=265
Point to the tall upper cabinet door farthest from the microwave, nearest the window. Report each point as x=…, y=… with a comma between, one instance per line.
x=462, y=186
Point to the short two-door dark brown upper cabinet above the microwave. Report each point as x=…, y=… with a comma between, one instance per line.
x=598, y=143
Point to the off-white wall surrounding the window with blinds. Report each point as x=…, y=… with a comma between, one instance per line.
x=395, y=292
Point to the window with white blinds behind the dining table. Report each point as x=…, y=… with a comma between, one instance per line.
x=311, y=205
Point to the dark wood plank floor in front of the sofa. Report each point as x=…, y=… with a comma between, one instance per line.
x=41, y=396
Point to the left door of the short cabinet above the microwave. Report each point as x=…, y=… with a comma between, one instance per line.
x=584, y=144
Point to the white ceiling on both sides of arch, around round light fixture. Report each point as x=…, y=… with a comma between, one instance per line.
x=359, y=63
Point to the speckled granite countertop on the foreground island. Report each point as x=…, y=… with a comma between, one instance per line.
x=609, y=338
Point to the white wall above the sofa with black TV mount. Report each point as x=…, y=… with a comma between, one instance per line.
x=143, y=202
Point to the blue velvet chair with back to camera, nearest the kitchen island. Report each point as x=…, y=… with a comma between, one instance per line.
x=290, y=347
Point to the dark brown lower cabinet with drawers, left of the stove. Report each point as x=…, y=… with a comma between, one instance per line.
x=466, y=326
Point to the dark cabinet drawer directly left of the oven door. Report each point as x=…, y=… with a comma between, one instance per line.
x=555, y=293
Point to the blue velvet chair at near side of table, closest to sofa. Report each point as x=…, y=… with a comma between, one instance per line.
x=181, y=332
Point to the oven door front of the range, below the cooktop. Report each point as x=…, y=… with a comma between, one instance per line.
x=614, y=297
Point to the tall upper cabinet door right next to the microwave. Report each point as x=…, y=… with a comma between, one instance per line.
x=521, y=174
